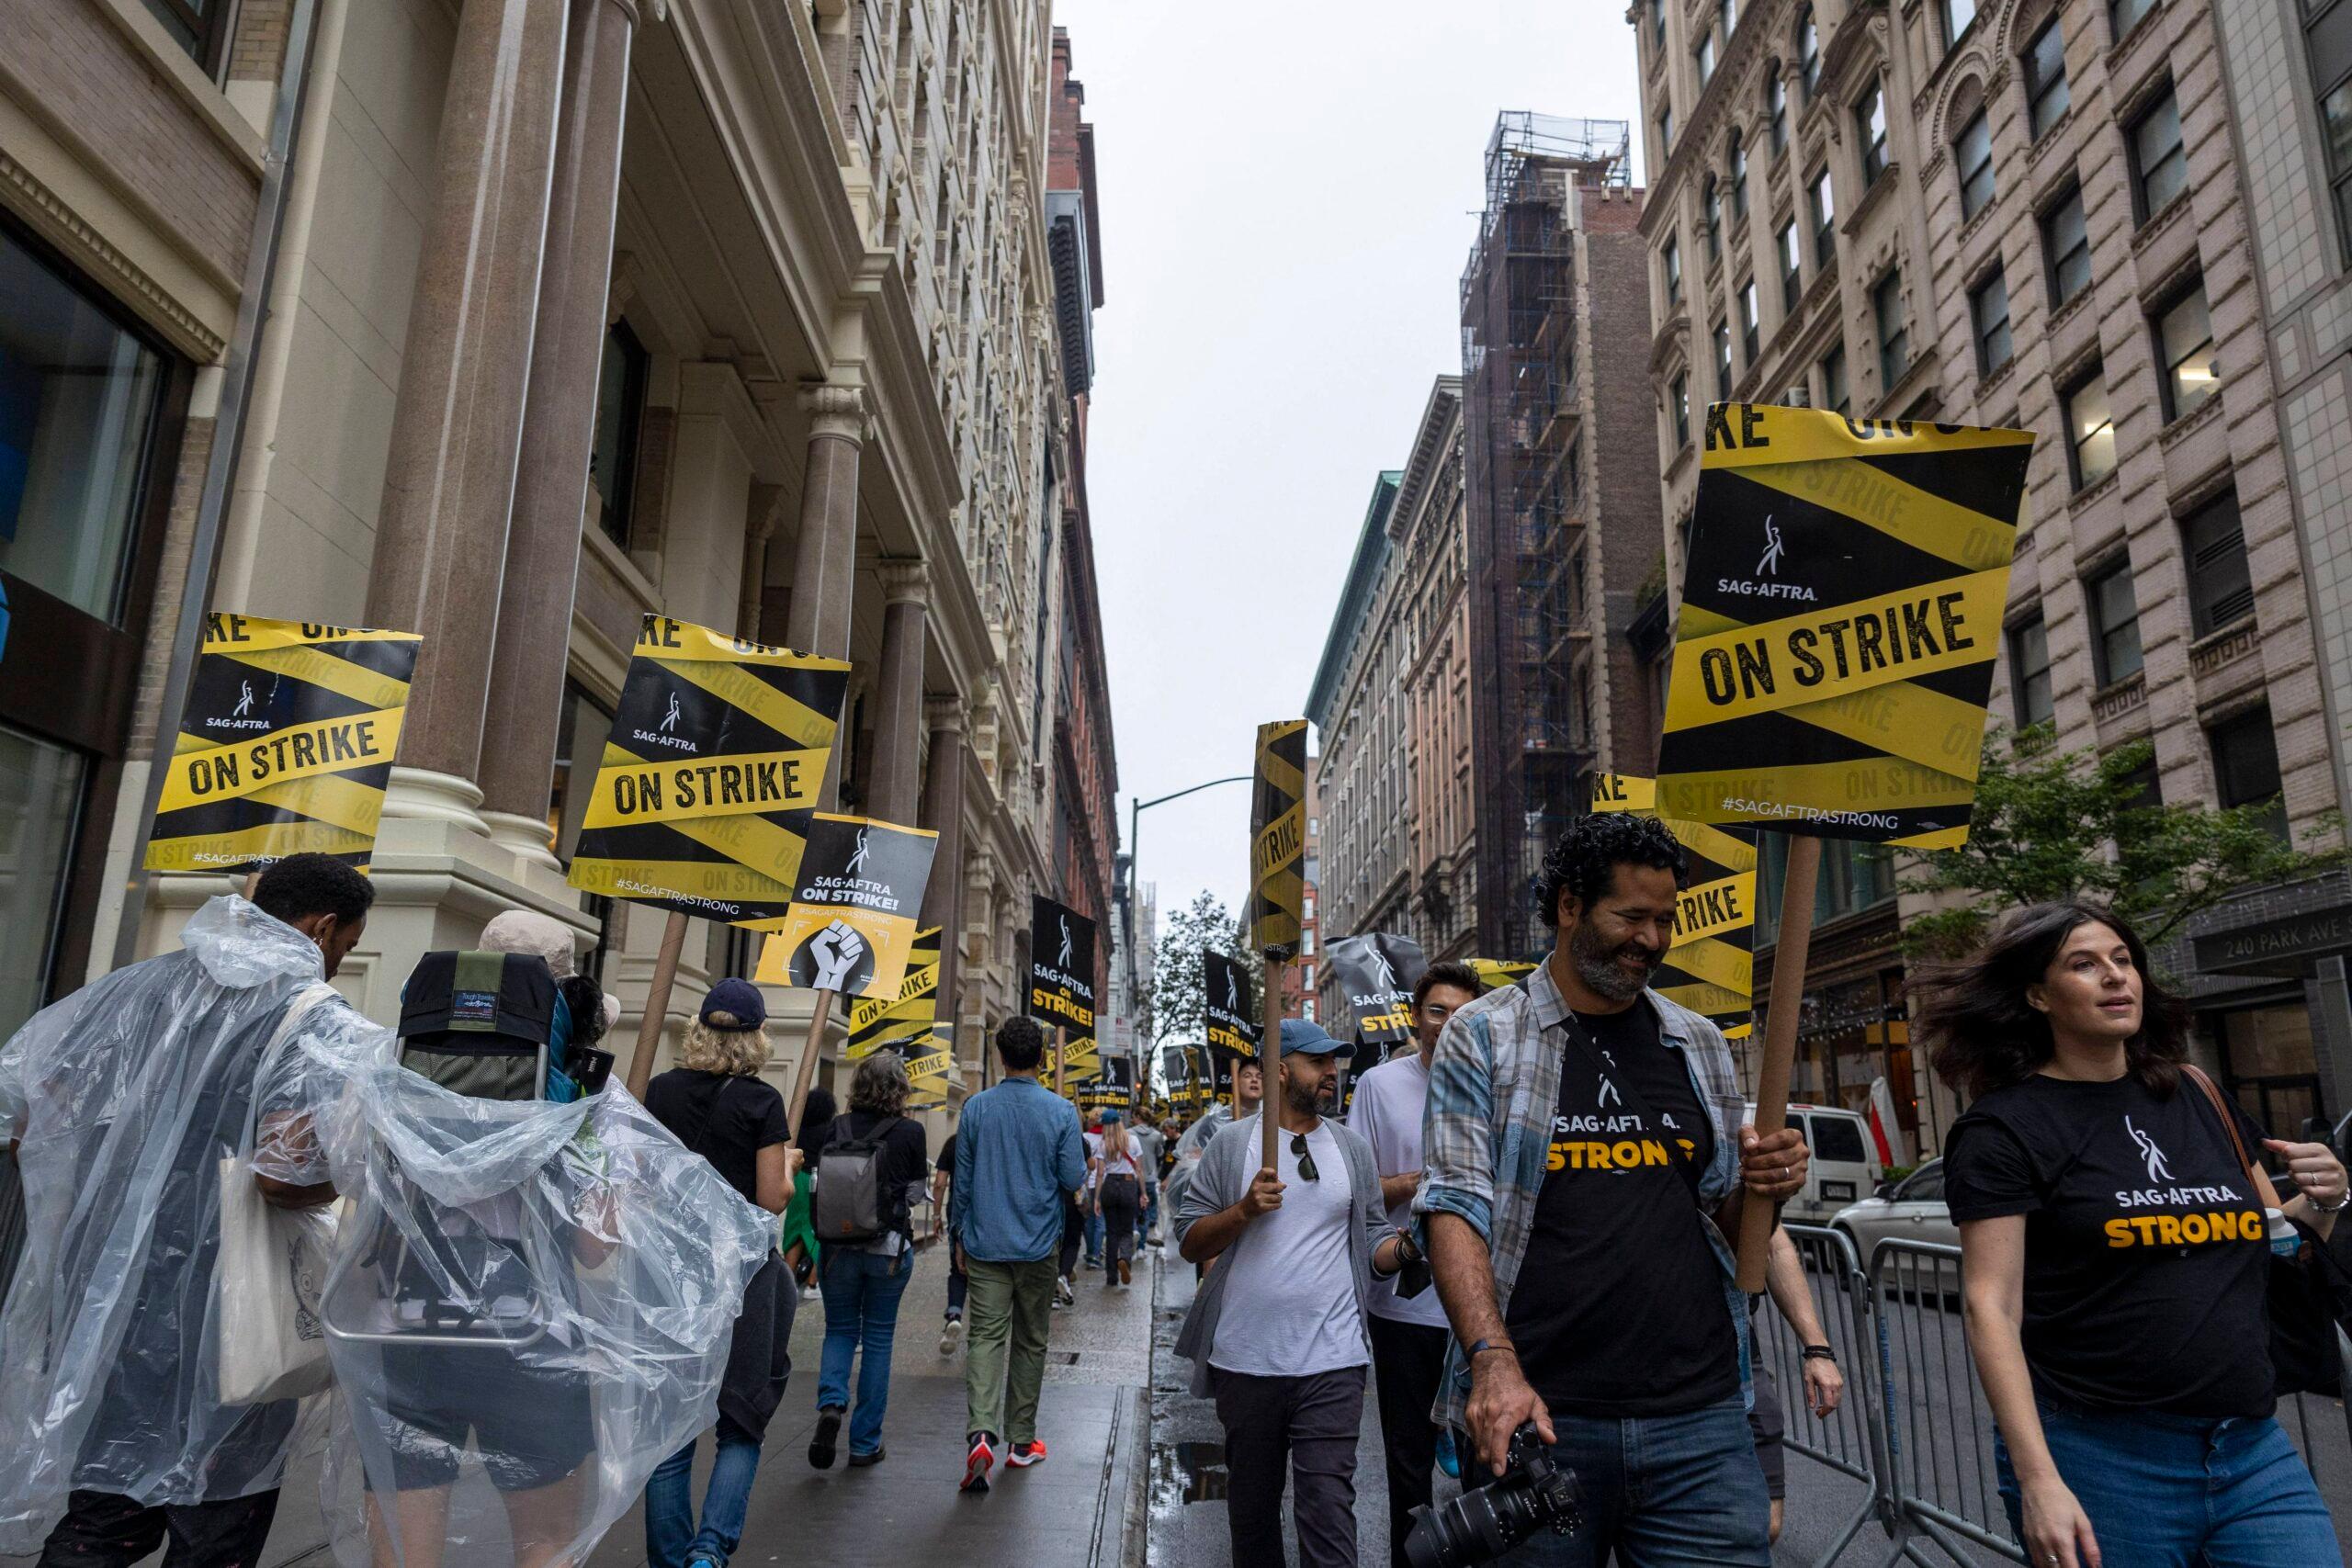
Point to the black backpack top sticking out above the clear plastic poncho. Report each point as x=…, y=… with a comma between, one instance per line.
x=481, y=1024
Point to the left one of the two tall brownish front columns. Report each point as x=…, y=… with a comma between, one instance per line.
x=450, y=476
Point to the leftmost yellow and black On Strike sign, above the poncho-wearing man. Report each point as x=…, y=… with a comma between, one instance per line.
x=286, y=746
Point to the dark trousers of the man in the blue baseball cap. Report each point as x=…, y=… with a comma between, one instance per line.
x=1307, y=1428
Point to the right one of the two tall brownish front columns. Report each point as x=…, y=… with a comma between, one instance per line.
x=559, y=434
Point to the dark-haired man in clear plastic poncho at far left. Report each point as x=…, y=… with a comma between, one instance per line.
x=123, y=1101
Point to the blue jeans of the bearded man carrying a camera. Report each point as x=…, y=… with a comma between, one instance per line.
x=1662, y=1492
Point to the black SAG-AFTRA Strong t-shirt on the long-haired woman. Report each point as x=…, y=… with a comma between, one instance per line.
x=2146, y=1264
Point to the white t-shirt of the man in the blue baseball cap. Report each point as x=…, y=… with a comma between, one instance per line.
x=1290, y=1304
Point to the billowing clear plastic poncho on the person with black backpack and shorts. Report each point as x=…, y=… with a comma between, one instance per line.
x=530, y=1308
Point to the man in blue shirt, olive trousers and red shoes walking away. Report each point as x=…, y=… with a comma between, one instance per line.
x=1017, y=1160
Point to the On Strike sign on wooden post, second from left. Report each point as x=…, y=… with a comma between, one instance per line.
x=707, y=789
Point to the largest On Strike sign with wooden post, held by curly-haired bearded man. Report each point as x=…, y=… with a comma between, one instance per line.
x=1840, y=617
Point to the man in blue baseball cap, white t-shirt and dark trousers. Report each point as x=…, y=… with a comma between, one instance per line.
x=1276, y=1332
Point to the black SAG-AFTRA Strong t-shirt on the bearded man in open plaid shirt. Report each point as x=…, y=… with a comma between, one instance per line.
x=1619, y=1308
